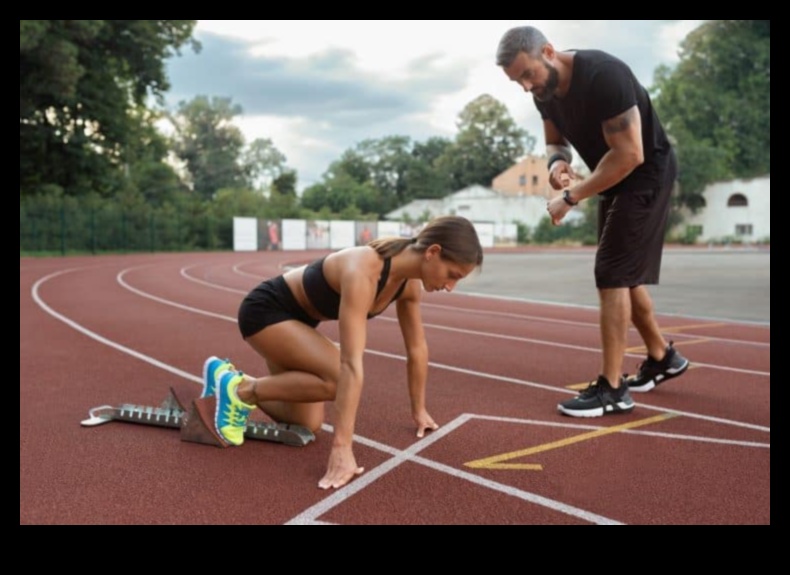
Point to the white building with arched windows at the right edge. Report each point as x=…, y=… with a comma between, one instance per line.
x=738, y=210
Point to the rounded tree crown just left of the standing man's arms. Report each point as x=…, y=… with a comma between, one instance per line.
x=488, y=142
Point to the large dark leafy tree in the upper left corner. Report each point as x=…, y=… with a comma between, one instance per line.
x=81, y=86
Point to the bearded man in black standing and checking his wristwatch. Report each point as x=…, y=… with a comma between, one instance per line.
x=592, y=102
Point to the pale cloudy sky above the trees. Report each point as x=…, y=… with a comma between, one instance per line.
x=318, y=87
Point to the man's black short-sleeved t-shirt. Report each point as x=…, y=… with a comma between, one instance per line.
x=602, y=87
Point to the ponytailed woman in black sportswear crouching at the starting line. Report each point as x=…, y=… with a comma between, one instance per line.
x=278, y=319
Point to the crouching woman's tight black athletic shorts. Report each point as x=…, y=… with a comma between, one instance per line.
x=269, y=303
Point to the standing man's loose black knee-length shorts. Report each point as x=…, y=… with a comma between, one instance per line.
x=631, y=229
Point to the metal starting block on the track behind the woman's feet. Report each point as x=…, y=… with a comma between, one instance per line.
x=197, y=423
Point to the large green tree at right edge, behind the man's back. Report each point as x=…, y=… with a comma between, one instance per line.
x=716, y=104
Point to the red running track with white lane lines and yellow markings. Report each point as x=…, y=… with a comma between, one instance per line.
x=125, y=329
